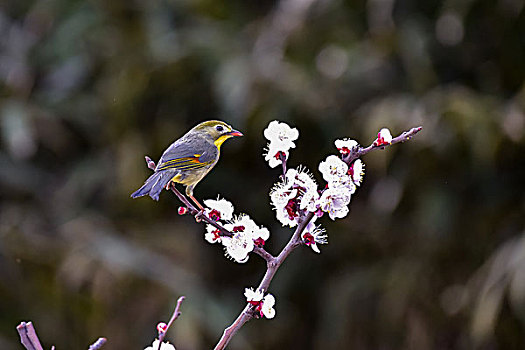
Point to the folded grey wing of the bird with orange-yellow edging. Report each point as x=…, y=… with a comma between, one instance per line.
x=184, y=156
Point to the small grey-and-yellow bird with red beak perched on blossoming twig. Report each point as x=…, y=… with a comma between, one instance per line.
x=188, y=159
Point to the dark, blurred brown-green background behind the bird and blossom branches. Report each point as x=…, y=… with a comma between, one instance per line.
x=432, y=255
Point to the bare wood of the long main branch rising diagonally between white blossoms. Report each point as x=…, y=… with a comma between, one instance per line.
x=274, y=263
